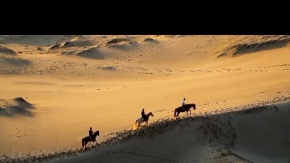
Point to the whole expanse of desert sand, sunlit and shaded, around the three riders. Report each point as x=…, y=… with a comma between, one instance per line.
x=54, y=88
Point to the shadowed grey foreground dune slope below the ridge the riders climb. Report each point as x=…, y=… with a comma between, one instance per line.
x=248, y=135
